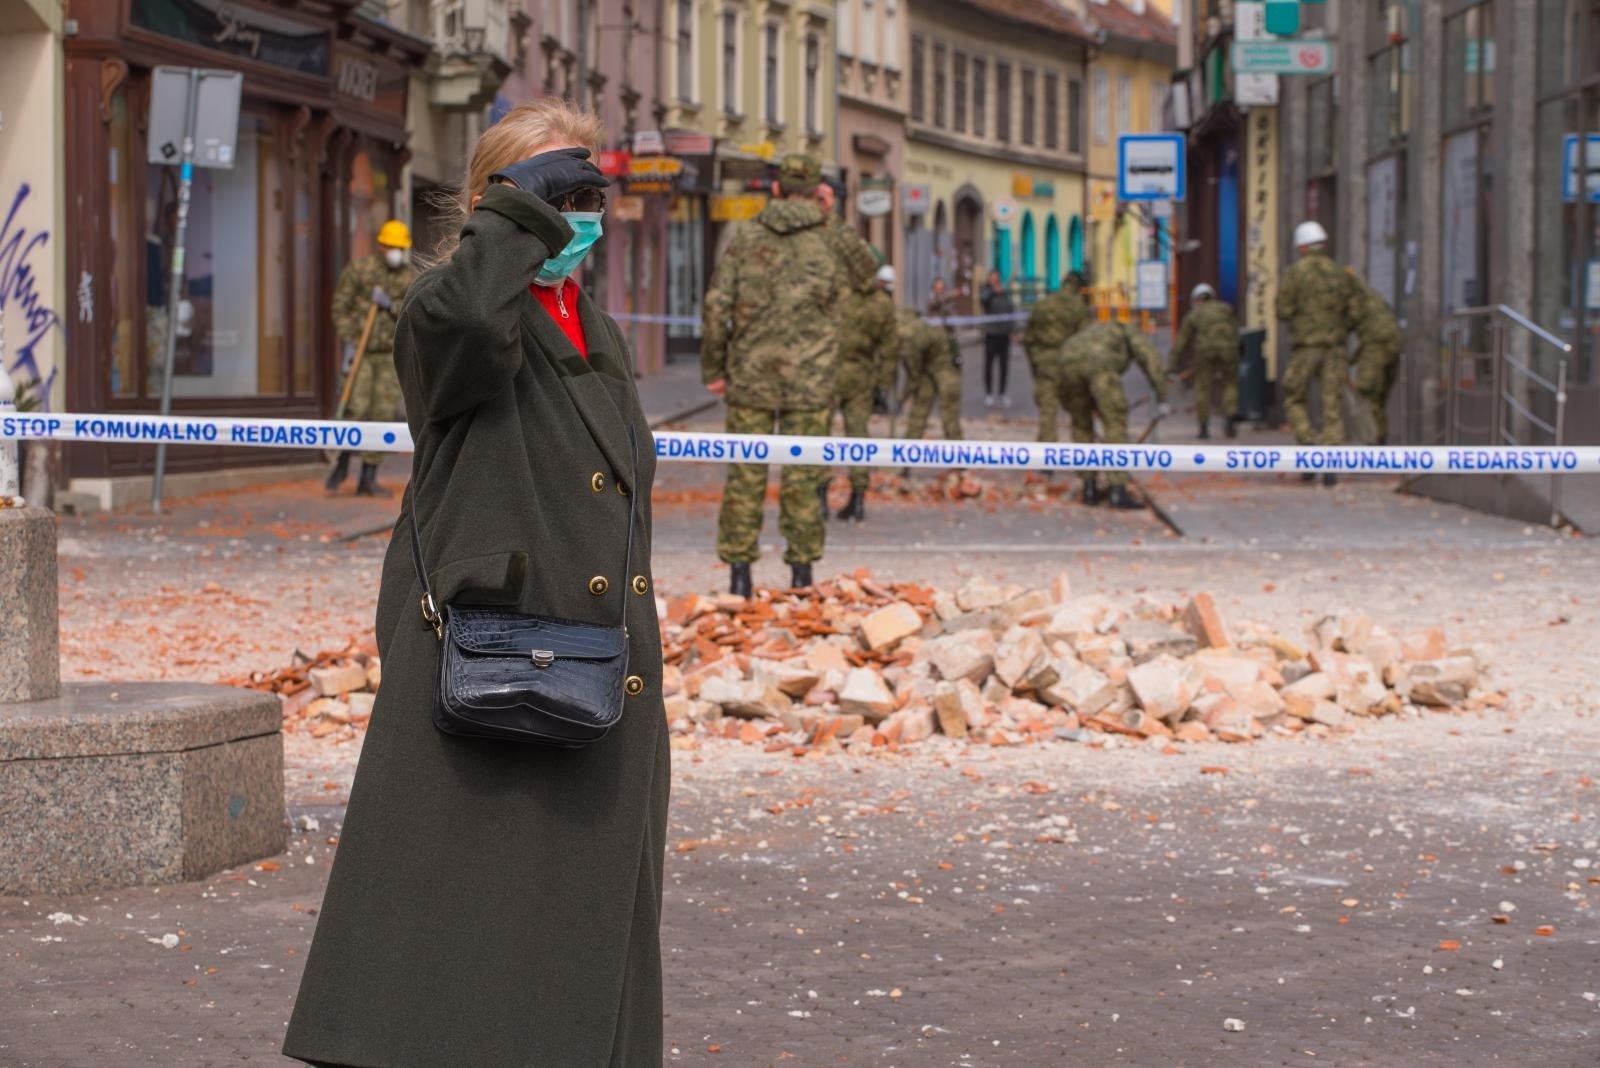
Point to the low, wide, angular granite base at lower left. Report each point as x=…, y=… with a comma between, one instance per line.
x=138, y=783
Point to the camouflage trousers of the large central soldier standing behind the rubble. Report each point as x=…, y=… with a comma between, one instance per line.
x=745, y=496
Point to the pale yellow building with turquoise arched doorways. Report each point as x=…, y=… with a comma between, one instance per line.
x=996, y=143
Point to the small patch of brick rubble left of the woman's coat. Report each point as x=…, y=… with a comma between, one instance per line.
x=329, y=696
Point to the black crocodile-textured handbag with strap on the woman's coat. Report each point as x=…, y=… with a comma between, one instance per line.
x=529, y=679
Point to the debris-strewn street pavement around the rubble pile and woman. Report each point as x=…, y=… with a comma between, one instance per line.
x=969, y=907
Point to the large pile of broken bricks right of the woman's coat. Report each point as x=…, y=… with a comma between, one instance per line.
x=860, y=664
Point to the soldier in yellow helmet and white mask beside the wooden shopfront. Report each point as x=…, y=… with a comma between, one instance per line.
x=380, y=281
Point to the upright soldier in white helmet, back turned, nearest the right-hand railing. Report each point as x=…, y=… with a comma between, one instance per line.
x=1316, y=300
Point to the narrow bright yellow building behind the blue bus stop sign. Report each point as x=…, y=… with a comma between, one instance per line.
x=1130, y=76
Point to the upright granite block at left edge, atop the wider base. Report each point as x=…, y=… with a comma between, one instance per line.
x=30, y=655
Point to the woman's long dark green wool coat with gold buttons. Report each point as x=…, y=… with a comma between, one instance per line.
x=492, y=903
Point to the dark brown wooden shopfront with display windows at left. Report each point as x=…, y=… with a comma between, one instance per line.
x=318, y=170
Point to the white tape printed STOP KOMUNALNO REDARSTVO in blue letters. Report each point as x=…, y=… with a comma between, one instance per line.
x=783, y=450
